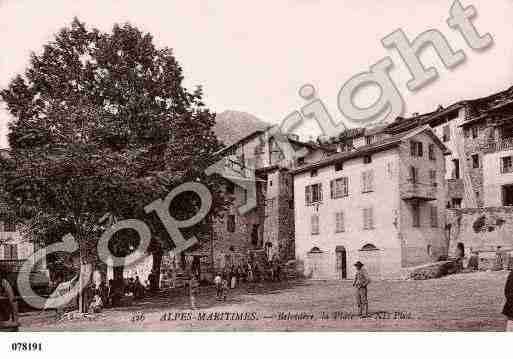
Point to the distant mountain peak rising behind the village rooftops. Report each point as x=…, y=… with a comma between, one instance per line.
x=232, y=126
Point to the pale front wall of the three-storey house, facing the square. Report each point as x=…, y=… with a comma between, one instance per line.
x=384, y=199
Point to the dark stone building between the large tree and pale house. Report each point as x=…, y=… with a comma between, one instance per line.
x=267, y=230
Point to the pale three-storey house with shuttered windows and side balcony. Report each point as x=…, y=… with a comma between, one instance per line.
x=382, y=202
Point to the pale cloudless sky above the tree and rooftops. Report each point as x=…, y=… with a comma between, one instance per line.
x=253, y=56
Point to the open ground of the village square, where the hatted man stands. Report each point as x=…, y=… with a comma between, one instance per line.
x=462, y=302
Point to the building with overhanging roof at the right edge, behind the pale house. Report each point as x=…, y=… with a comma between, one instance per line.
x=479, y=133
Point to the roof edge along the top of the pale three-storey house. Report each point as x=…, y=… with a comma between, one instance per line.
x=386, y=144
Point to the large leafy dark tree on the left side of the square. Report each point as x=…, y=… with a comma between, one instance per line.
x=103, y=124
